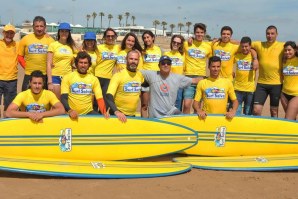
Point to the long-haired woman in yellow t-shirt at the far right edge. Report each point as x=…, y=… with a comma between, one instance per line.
x=289, y=95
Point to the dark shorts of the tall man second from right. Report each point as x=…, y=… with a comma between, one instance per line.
x=262, y=92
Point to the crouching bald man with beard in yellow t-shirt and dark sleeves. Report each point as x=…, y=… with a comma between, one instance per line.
x=125, y=88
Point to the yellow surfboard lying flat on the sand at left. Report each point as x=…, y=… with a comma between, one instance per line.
x=90, y=168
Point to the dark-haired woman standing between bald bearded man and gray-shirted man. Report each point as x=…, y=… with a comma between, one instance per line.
x=151, y=56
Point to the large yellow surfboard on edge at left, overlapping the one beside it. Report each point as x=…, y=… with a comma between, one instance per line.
x=92, y=137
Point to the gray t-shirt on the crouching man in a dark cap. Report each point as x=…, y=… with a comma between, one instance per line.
x=163, y=92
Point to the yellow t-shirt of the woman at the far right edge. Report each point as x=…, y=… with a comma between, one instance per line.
x=290, y=73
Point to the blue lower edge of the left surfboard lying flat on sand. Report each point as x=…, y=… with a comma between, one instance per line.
x=84, y=175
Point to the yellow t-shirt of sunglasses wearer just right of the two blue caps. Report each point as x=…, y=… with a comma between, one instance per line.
x=106, y=64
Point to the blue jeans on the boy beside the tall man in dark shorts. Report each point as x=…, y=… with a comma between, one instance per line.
x=247, y=99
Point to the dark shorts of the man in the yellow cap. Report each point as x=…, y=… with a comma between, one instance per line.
x=8, y=89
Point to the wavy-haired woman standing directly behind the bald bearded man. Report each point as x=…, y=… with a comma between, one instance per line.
x=129, y=42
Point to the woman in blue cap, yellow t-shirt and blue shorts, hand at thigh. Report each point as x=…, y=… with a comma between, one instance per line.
x=60, y=58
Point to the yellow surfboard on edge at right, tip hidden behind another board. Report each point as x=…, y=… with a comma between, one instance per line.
x=243, y=135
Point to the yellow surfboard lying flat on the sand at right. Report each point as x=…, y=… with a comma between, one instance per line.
x=244, y=163
